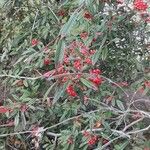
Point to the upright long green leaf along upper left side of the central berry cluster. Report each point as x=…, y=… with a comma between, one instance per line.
x=59, y=55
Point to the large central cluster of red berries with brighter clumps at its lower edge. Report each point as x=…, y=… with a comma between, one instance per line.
x=77, y=64
